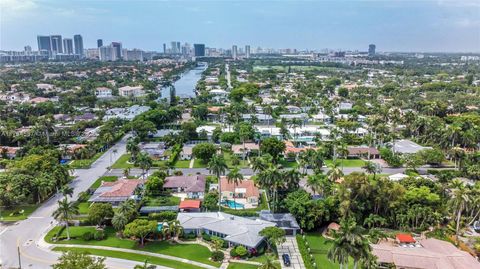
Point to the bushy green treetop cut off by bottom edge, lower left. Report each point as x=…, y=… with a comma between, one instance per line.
x=79, y=260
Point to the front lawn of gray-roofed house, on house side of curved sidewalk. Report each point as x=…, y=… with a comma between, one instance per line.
x=192, y=252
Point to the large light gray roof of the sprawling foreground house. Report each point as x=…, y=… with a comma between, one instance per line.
x=239, y=230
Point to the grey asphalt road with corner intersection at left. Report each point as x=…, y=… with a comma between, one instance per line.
x=25, y=236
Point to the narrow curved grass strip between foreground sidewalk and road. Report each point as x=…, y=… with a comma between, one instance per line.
x=131, y=256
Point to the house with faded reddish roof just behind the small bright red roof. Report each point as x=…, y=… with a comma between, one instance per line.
x=192, y=186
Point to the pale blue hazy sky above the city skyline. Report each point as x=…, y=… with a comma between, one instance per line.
x=393, y=25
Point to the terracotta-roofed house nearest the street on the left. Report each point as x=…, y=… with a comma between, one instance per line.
x=116, y=192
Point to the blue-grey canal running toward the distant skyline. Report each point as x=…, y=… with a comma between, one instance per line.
x=185, y=85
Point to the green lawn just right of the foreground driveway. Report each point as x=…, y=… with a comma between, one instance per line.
x=319, y=247
